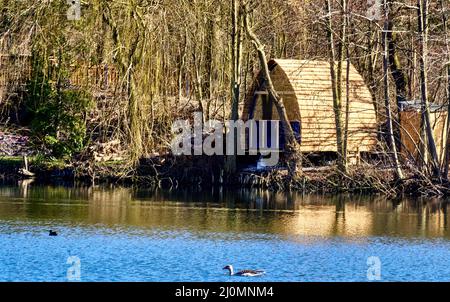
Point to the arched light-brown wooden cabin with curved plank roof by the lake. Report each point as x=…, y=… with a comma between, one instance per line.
x=305, y=86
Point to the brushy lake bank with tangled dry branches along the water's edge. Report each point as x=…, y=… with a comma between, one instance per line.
x=173, y=173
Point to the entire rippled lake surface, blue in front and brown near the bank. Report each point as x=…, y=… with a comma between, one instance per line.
x=123, y=234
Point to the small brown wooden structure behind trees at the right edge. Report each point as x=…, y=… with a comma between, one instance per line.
x=410, y=129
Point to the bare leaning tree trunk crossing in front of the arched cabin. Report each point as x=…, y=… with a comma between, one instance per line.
x=292, y=150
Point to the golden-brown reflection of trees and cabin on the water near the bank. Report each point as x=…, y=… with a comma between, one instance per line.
x=219, y=210
